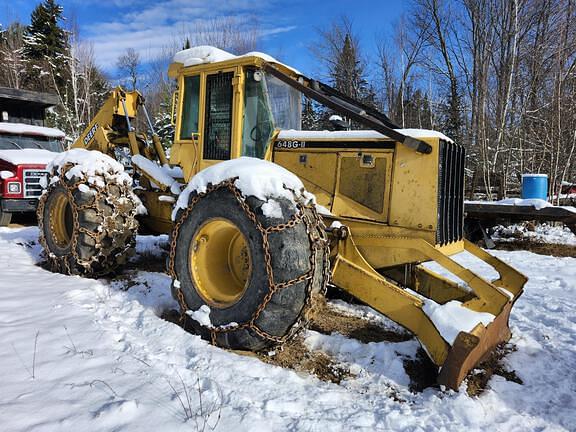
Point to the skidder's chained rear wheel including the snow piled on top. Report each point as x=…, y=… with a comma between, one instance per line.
x=87, y=216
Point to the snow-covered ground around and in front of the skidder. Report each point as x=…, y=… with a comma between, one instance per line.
x=93, y=355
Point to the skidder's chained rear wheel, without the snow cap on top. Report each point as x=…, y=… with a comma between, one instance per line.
x=85, y=229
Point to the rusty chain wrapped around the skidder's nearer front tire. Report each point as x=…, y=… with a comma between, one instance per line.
x=318, y=244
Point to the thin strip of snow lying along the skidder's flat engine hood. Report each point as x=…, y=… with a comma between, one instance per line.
x=358, y=134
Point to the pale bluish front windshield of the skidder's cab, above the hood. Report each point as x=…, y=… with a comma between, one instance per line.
x=285, y=102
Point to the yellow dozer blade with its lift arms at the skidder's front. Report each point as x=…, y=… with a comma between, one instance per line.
x=407, y=304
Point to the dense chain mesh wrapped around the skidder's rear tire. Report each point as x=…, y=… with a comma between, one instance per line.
x=62, y=264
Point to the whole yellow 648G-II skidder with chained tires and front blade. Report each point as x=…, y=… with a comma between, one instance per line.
x=387, y=200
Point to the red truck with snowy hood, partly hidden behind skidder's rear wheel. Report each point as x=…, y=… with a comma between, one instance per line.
x=25, y=150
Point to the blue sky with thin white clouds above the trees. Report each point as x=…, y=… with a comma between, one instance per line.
x=288, y=27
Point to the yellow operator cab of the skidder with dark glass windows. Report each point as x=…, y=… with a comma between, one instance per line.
x=228, y=112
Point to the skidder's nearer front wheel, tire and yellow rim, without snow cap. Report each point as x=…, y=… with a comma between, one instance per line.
x=256, y=273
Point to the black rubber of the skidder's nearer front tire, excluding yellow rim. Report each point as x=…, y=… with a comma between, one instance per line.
x=295, y=251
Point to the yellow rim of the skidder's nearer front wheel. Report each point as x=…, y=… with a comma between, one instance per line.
x=220, y=263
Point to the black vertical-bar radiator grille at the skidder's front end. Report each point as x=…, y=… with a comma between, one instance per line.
x=450, y=193
